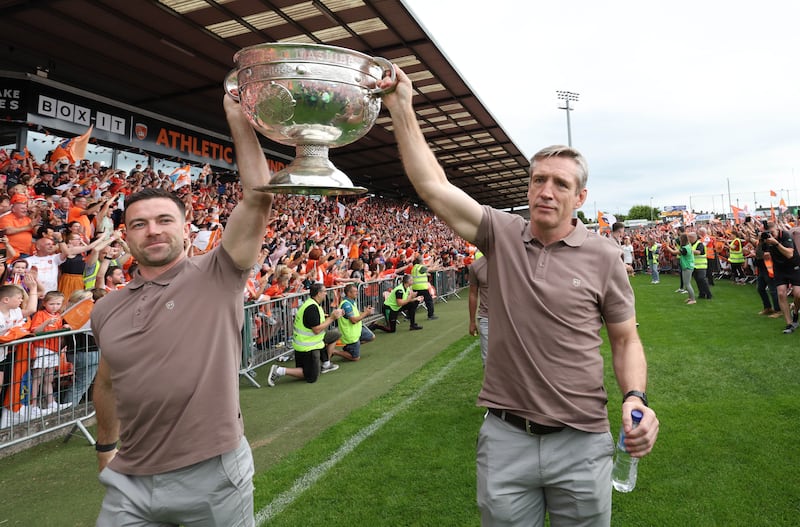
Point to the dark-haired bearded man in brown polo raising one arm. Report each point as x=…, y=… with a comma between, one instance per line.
x=170, y=441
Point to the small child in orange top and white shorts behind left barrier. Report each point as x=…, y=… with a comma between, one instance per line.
x=47, y=352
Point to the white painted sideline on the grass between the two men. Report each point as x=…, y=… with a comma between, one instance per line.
x=307, y=480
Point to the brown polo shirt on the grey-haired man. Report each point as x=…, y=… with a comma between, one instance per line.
x=547, y=307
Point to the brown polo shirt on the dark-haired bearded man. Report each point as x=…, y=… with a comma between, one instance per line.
x=174, y=347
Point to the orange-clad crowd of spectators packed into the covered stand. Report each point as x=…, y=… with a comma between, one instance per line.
x=78, y=207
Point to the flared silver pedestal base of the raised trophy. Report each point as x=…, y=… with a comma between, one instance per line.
x=311, y=174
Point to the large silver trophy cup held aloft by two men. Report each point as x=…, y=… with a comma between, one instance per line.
x=313, y=97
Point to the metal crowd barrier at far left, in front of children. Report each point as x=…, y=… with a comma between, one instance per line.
x=25, y=415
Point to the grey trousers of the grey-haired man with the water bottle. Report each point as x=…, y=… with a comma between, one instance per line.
x=521, y=477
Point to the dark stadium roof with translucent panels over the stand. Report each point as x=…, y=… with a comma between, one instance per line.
x=171, y=56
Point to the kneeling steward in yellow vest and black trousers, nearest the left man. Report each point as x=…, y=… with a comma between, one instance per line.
x=311, y=342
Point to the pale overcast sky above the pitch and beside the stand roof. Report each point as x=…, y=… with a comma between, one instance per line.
x=678, y=99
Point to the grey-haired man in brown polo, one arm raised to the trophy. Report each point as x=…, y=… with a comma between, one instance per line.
x=545, y=445
